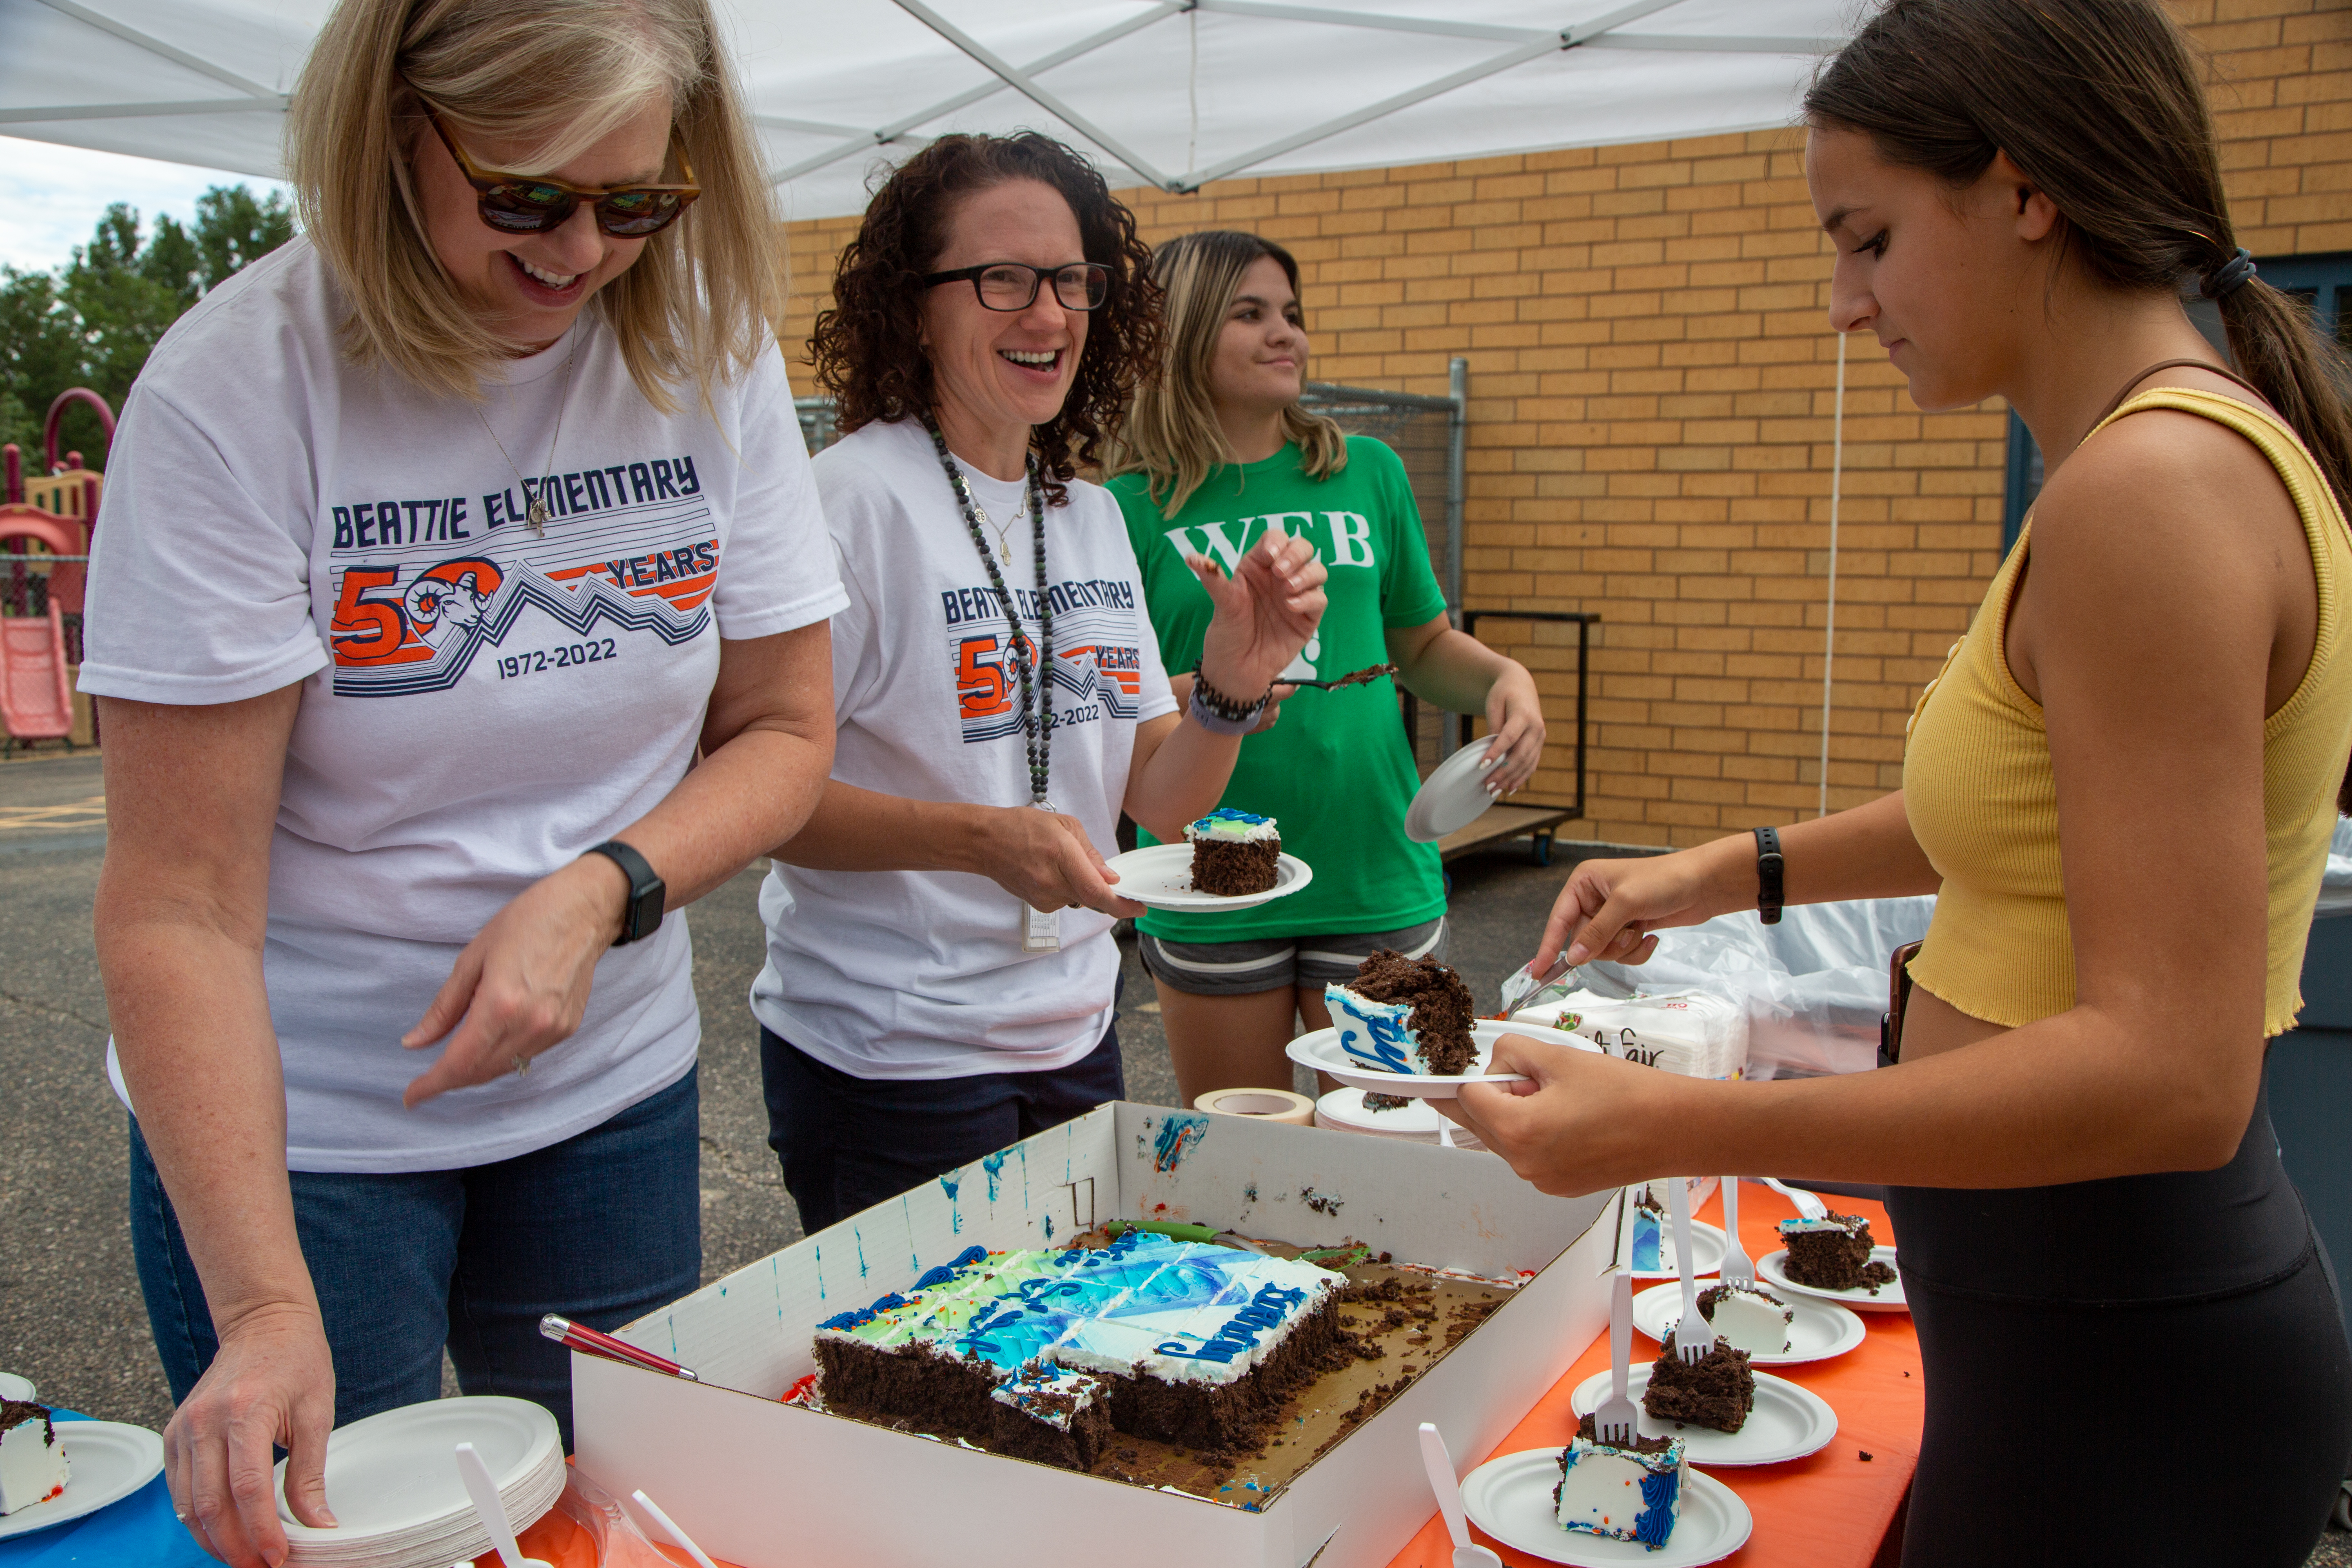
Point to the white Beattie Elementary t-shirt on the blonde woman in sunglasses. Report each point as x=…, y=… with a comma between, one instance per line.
x=479, y=704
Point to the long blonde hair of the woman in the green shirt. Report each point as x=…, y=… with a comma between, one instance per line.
x=1172, y=431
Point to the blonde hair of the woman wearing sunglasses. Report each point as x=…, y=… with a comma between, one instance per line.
x=707, y=293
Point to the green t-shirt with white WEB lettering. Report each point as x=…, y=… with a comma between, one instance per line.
x=1335, y=772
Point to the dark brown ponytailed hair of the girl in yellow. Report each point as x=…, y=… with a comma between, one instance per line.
x=2099, y=102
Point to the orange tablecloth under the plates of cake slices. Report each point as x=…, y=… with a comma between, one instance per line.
x=1829, y=1510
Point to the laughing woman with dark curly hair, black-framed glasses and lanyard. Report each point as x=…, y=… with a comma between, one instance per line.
x=940, y=965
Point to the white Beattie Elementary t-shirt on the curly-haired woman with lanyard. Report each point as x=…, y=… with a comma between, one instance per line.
x=923, y=974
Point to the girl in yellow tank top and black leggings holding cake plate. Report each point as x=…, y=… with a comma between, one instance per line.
x=2123, y=786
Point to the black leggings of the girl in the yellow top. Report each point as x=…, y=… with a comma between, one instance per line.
x=2144, y=1372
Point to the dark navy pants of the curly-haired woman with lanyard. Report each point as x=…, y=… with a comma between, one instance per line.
x=850, y=1144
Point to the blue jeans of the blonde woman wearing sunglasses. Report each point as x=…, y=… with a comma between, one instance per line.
x=601, y=1228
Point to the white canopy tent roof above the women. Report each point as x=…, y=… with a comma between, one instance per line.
x=1163, y=93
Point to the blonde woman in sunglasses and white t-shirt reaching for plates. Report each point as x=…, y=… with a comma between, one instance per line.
x=439, y=549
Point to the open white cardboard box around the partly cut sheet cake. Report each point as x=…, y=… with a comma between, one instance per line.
x=773, y=1487
